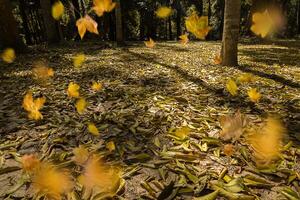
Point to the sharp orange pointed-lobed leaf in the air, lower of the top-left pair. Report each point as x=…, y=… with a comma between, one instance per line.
x=86, y=23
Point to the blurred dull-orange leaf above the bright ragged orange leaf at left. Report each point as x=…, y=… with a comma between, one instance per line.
x=42, y=72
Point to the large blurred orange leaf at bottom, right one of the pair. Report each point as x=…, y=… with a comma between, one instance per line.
x=99, y=177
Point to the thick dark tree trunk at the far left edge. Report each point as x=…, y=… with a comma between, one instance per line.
x=9, y=33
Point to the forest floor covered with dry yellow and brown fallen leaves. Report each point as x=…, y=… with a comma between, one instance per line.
x=146, y=94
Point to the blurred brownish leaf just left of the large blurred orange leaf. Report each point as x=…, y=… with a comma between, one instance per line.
x=232, y=126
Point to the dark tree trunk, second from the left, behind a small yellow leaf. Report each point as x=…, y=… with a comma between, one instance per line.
x=50, y=25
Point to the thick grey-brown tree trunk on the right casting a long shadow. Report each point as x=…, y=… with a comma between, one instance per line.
x=231, y=32
